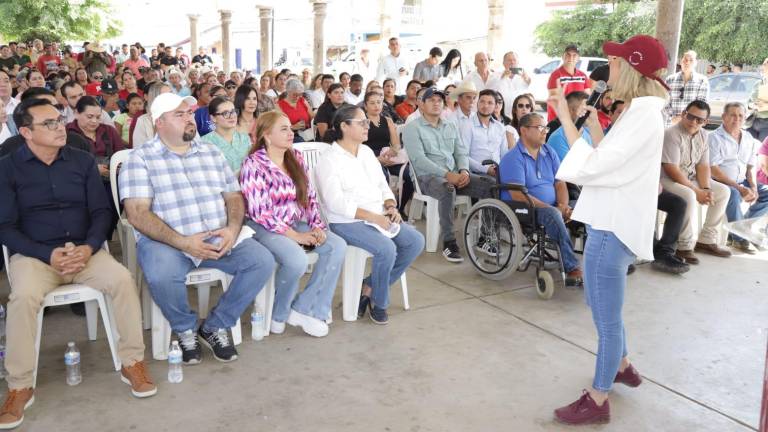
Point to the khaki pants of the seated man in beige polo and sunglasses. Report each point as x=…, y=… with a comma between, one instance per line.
x=715, y=213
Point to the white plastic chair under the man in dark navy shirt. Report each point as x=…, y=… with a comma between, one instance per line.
x=76, y=293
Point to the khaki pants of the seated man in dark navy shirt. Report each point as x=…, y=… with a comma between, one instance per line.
x=32, y=279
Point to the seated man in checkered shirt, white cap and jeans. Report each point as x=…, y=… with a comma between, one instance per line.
x=185, y=204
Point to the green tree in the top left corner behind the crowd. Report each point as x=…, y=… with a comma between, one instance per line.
x=57, y=20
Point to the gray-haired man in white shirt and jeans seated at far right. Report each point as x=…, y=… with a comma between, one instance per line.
x=732, y=154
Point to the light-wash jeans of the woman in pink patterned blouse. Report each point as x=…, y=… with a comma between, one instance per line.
x=291, y=259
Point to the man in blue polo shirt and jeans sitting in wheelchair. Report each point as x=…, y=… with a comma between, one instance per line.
x=533, y=164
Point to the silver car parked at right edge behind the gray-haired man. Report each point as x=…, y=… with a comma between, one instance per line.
x=729, y=87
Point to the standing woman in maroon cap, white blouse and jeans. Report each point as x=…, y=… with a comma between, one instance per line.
x=620, y=179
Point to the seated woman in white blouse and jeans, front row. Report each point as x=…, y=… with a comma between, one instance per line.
x=359, y=205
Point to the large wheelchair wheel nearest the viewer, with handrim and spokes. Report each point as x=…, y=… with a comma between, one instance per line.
x=493, y=239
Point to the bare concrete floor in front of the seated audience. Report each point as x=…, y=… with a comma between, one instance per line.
x=471, y=355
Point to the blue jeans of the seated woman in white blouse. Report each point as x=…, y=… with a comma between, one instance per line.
x=390, y=256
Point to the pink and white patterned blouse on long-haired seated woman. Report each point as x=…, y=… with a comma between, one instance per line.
x=270, y=195
